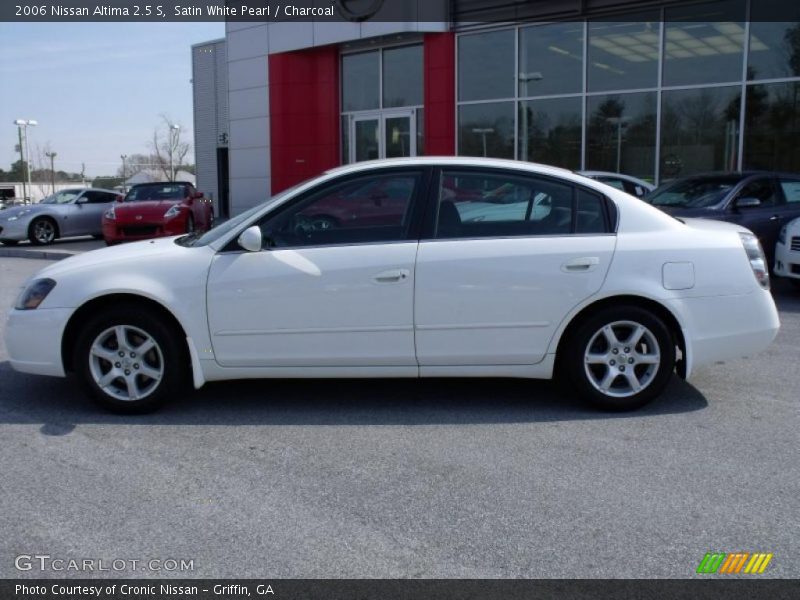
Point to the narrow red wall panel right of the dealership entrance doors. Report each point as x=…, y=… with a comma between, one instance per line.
x=440, y=94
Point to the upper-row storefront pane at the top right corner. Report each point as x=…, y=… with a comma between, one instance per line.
x=774, y=40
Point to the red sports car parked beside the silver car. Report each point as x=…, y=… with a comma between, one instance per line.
x=157, y=210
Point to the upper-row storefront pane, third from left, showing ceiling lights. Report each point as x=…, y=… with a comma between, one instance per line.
x=623, y=55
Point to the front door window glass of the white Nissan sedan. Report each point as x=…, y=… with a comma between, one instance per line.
x=364, y=210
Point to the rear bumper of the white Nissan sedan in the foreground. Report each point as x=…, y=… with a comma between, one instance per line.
x=726, y=327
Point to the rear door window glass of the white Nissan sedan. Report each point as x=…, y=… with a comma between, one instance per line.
x=475, y=204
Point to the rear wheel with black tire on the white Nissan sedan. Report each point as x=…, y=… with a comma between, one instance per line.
x=587, y=369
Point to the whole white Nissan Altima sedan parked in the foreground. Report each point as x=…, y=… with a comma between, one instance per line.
x=428, y=267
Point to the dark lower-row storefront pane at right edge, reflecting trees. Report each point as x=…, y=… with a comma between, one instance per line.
x=772, y=127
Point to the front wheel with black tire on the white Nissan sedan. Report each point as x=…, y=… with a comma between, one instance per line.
x=167, y=357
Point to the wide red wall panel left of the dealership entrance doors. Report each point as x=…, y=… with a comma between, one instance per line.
x=304, y=114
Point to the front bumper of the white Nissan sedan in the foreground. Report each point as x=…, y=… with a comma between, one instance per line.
x=33, y=339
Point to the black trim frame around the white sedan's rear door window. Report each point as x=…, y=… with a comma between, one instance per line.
x=428, y=232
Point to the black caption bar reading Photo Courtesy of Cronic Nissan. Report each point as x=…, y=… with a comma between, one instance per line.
x=364, y=589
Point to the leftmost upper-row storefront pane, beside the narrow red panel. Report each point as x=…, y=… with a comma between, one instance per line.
x=486, y=65
